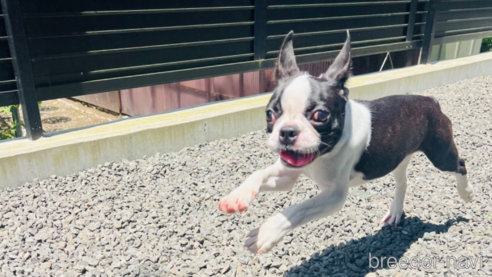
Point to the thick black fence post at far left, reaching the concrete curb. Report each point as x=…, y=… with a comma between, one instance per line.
x=22, y=68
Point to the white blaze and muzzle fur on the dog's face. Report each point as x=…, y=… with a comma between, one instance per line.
x=294, y=103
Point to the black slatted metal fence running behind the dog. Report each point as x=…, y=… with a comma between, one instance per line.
x=56, y=48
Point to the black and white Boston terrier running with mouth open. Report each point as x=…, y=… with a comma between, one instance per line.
x=340, y=143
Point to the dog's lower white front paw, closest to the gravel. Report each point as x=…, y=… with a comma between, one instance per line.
x=263, y=239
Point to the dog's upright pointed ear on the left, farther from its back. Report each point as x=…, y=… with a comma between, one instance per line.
x=286, y=62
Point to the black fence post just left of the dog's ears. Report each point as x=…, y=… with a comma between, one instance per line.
x=260, y=29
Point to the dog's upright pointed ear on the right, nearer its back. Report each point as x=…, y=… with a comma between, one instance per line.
x=339, y=71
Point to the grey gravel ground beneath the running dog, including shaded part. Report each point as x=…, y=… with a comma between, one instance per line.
x=158, y=216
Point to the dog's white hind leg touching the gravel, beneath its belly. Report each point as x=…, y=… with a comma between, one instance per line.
x=395, y=211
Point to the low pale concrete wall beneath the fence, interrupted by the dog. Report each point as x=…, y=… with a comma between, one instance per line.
x=69, y=152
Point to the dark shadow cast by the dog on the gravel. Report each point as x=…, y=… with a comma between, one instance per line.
x=352, y=259
